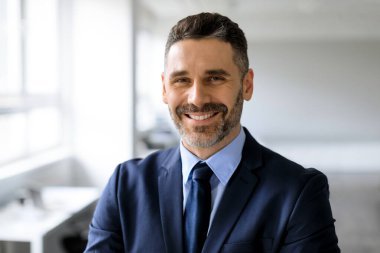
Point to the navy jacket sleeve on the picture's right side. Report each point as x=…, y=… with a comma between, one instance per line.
x=311, y=225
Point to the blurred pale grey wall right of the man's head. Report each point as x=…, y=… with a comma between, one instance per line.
x=318, y=101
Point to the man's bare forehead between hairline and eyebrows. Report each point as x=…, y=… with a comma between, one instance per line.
x=200, y=53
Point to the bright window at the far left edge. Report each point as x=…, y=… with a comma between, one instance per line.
x=30, y=95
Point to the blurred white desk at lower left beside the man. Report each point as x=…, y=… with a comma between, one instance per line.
x=28, y=224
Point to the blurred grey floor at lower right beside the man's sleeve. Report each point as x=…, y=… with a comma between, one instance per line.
x=355, y=200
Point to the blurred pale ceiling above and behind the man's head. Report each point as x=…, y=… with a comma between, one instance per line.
x=275, y=19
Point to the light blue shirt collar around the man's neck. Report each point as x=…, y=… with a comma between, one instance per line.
x=223, y=163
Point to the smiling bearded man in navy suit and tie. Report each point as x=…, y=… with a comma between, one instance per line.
x=247, y=199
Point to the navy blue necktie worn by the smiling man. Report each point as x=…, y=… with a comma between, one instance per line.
x=198, y=208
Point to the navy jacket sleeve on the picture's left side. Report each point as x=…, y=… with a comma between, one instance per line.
x=105, y=229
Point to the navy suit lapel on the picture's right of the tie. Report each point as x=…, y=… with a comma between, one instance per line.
x=235, y=197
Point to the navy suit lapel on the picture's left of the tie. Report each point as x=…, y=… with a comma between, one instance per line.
x=171, y=202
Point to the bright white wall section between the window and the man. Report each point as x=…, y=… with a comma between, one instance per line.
x=102, y=44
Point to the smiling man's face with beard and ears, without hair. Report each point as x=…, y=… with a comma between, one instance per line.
x=204, y=91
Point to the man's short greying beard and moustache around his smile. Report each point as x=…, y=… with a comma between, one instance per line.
x=208, y=136
